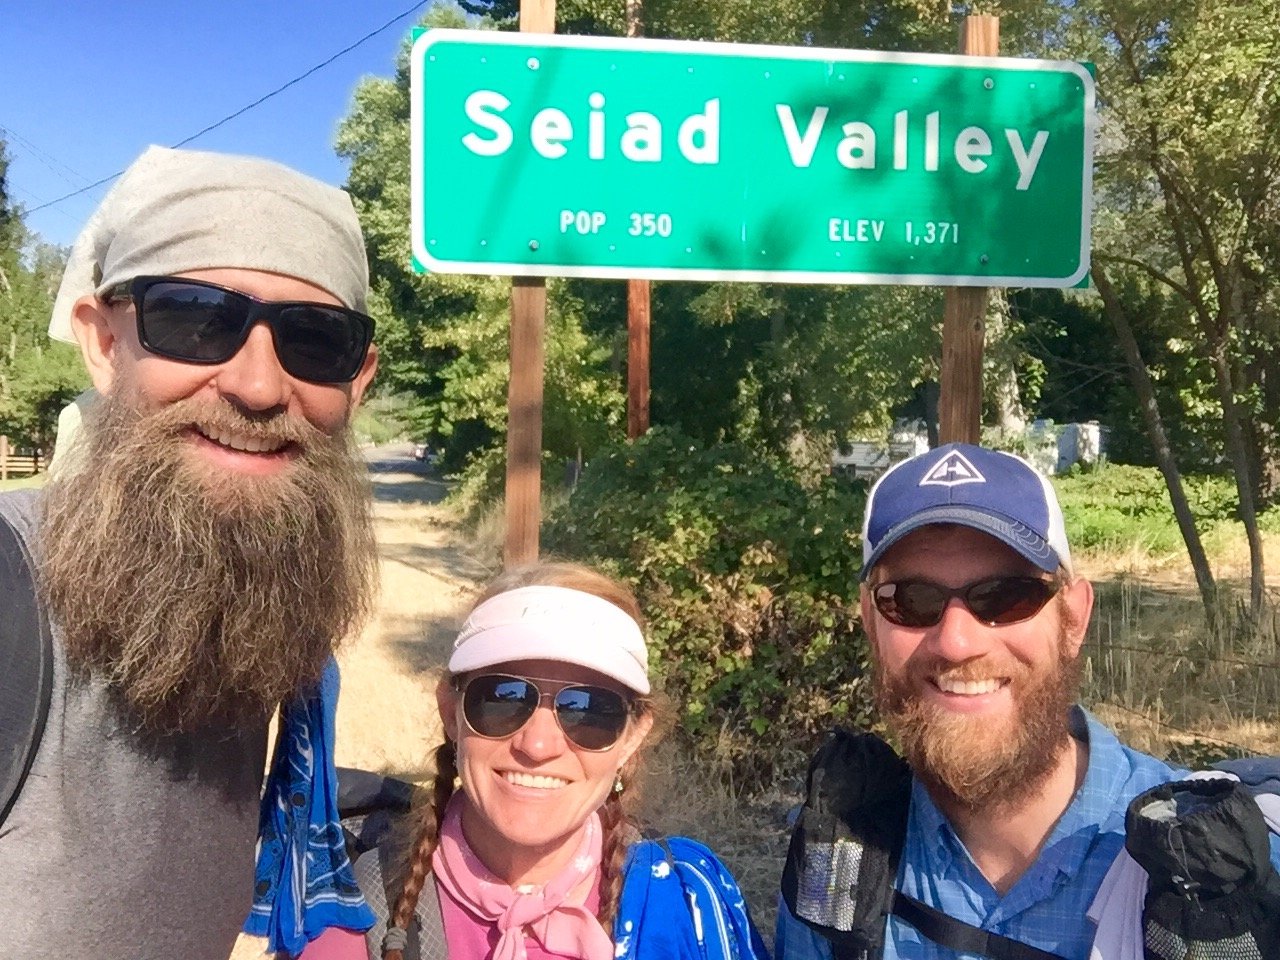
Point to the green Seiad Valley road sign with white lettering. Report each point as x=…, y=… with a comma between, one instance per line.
x=598, y=157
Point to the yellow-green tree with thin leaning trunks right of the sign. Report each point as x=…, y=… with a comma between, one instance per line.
x=1190, y=179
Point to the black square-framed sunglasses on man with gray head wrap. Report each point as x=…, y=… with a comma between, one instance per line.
x=203, y=323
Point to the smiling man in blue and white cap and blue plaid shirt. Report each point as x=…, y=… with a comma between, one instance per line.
x=995, y=830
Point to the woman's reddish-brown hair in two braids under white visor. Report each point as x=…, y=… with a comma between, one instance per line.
x=619, y=826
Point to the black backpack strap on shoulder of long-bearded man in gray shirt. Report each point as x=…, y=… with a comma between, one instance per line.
x=26, y=668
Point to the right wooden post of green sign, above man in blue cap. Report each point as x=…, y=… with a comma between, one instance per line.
x=966, y=308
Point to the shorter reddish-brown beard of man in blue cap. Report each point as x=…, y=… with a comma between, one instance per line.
x=964, y=761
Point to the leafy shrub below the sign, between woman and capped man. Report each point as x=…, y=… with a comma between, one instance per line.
x=749, y=582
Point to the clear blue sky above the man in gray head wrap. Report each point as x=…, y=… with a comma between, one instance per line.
x=86, y=85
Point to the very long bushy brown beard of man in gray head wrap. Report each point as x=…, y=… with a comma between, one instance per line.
x=204, y=600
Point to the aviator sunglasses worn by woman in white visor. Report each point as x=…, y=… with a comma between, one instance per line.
x=592, y=717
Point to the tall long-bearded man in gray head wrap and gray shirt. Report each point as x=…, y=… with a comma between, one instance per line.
x=203, y=548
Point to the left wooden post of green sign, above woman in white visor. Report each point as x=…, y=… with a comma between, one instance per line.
x=525, y=391
